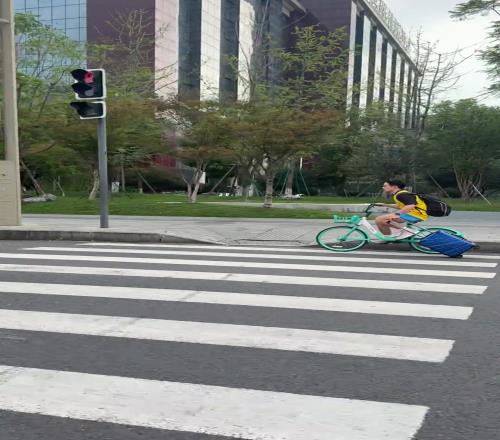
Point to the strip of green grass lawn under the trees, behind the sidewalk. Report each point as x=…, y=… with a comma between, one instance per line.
x=175, y=205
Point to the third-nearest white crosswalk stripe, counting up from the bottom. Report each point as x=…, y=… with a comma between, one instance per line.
x=243, y=299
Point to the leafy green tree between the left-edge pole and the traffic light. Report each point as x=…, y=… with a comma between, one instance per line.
x=45, y=55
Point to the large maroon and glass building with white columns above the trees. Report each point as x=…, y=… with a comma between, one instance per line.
x=198, y=43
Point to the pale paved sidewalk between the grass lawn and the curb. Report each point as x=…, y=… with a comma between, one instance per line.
x=478, y=226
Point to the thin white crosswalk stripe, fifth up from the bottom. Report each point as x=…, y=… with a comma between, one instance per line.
x=252, y=265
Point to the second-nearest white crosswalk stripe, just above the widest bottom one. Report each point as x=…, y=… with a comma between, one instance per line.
x=272, y=338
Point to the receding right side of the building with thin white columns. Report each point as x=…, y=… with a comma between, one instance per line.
x=381, y=65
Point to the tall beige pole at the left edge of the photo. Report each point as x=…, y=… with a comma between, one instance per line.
x=10, y=123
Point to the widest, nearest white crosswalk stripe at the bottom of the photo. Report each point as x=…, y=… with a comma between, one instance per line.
x=216, y=410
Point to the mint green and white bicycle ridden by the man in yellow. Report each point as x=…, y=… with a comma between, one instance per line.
x=353, y=233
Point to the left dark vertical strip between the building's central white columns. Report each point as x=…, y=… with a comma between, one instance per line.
x=189, y=48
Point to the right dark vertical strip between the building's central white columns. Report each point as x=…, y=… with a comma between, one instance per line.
x=229, y=49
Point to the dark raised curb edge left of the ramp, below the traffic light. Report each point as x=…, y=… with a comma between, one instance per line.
x=108, y=236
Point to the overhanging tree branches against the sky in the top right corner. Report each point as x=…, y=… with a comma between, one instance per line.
x=491, y=55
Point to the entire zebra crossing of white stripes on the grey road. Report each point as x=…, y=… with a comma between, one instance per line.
x=204, y=408
